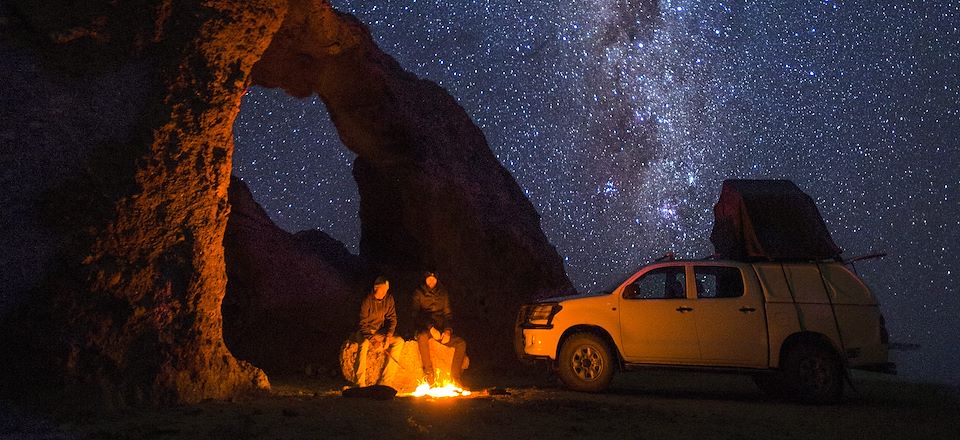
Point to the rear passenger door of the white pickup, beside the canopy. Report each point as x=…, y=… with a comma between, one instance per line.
x=730, y=319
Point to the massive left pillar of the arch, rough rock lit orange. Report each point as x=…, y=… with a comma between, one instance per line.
x=124, y=112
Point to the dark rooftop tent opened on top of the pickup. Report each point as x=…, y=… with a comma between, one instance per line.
x=769, y=220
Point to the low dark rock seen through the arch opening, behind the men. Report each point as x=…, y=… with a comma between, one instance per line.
x=291, y=299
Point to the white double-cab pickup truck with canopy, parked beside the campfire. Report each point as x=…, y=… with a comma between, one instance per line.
x=796, y=327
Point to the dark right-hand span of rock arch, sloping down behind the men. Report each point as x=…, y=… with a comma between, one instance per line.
x=432, y=194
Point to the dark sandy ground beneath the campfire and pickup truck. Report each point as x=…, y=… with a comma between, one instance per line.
x=644, y=405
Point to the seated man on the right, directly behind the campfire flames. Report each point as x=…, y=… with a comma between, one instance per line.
x=434, y=319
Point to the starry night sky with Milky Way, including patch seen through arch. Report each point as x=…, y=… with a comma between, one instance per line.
x=620, y=134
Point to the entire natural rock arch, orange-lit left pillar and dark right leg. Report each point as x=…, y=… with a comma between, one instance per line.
x=116, y=162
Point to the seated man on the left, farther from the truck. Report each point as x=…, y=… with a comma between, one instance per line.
x=378, y=322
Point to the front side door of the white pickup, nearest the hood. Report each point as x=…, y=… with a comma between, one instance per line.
x=656, y=324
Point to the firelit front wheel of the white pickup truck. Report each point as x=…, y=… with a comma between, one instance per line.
x=585, y=363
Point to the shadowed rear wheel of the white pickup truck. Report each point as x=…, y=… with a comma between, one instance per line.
x=813, y=374
